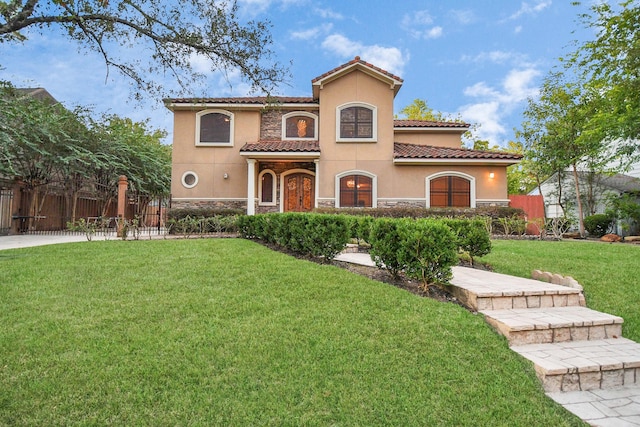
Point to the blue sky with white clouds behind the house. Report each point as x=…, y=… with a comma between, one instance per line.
x=477, y=59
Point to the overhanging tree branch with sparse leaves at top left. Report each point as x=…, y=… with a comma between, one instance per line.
x=142, y=38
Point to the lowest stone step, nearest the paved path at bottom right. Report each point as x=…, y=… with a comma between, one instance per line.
x=584, y=365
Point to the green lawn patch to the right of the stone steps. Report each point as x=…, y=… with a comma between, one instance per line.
x=609, y=273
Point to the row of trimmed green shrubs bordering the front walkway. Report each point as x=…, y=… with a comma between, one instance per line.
x=424, y=249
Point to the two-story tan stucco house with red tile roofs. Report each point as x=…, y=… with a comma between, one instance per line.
x=341, y=147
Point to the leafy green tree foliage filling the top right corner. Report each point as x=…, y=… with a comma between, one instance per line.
x=610, y=65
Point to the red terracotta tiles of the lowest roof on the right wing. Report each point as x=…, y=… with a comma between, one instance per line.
x=412, y=151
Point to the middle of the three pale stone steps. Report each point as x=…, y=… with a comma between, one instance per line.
x=554, y=324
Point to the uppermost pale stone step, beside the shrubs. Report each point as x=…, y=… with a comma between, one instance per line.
x=485, y=290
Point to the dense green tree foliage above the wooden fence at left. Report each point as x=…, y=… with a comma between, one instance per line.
x=42, y=144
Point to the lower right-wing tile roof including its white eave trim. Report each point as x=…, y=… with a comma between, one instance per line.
x=420, y=154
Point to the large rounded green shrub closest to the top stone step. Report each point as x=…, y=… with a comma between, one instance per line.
x=428, y=250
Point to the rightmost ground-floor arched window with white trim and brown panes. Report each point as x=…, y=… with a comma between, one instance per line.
x=451, y=189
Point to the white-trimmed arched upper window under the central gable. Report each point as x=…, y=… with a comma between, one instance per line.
x=356, y=122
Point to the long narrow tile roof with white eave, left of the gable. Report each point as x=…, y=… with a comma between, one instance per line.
x=249, y=101
